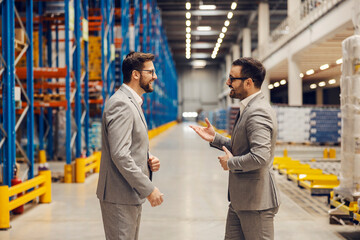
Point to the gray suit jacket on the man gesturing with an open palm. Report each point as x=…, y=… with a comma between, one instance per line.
x=251, y=180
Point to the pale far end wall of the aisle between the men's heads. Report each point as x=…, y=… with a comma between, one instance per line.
x=198, y=89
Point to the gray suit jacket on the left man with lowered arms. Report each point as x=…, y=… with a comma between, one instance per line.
x=124, y=172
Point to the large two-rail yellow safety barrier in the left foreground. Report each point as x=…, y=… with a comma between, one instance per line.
x=41, y=186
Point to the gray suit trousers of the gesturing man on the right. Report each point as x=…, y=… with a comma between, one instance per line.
x=250, y=224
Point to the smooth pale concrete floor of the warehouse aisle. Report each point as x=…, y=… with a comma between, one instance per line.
x=195, y=206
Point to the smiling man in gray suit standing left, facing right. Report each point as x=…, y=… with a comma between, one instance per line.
x=126, y=164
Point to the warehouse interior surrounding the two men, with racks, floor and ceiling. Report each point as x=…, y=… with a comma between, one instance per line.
x=60, y=62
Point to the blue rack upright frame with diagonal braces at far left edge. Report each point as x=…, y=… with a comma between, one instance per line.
x=9, y=125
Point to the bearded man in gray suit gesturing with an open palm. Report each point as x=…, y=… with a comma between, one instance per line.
x=253, y=194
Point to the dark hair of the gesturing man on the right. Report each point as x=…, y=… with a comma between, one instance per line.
x=251, y=68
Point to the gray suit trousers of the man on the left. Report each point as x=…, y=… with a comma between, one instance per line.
x=121, y=222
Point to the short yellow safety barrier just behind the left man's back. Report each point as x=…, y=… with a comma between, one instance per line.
x=84, y=165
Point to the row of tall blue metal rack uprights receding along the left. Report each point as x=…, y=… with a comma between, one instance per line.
x=160, y=107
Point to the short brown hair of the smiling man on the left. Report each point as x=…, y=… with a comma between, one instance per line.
x=134, y=61
